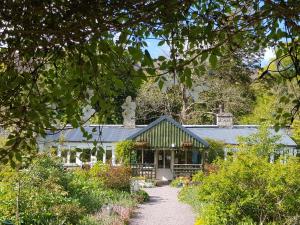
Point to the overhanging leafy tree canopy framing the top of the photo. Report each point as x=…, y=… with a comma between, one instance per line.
x=64, y=61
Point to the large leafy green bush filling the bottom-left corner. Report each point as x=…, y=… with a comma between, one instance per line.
x=40, y=194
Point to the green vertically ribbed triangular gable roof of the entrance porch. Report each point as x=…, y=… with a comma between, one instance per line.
x=164, y=132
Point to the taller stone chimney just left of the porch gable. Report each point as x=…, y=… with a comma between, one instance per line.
x=128, y=113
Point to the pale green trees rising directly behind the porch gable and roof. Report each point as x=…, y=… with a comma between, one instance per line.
x=227, y=84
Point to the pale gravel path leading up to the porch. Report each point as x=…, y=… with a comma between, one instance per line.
x=163, y=209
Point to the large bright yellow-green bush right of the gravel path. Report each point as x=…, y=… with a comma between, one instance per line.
x=248, y=189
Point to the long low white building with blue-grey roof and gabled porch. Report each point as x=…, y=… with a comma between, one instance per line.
x=165, y=147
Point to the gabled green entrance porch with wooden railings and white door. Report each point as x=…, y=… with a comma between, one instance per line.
x=165, y=150
